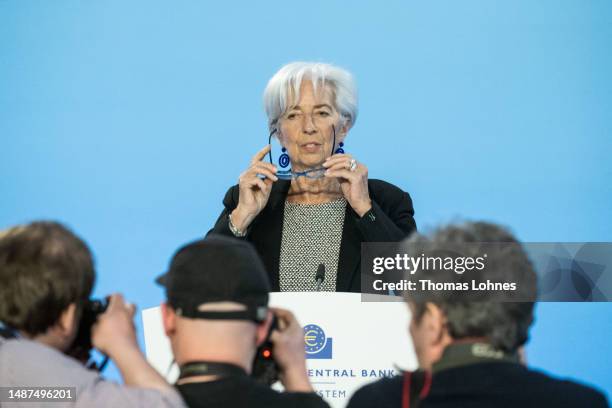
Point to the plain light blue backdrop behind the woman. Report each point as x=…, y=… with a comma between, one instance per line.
x=129, y=120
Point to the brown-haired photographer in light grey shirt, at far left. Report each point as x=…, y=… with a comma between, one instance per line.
x=46, y=277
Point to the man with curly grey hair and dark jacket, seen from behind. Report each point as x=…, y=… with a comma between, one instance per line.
x=468, y=344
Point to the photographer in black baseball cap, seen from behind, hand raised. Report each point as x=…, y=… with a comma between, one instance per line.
x=217, y=316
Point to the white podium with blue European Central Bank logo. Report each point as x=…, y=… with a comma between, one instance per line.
x=348, y=342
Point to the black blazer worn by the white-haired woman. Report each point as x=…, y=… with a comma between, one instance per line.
x=391, y=220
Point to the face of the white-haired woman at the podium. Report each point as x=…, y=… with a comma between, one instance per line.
x=306, y=130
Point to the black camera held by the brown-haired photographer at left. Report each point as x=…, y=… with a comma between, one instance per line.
x=81, y=348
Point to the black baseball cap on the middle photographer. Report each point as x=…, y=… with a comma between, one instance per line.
x=217, y=269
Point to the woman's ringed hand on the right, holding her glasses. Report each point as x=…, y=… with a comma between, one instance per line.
x=353, y=177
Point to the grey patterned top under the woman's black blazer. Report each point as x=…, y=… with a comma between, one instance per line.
x=311, y=235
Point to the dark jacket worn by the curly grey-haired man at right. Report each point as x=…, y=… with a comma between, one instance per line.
x=482, y=385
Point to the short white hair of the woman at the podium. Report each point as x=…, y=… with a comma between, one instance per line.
x=283, y=89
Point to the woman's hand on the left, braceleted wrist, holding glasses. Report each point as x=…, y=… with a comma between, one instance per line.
x=254, y=191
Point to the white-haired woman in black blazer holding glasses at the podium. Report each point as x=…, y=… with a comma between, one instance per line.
x=316, y=205
